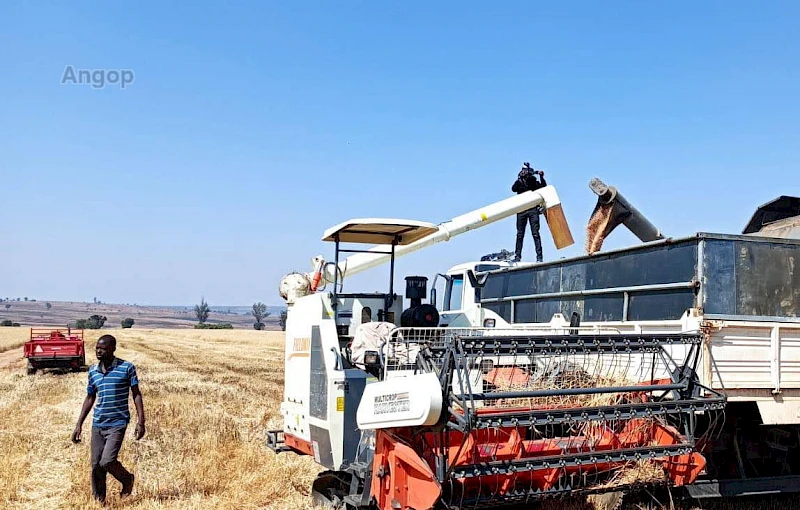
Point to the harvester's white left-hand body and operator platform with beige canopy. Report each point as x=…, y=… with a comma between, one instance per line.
x=330, y=339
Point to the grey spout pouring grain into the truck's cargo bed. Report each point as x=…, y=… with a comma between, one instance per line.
x=613, y=209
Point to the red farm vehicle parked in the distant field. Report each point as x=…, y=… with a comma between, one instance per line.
x=61, y=348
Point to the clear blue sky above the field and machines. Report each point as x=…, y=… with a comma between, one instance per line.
x=251, y=128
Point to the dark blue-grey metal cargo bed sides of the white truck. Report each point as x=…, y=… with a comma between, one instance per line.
x=736, y=277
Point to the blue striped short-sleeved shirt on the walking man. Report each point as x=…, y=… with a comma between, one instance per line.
x=111, y=407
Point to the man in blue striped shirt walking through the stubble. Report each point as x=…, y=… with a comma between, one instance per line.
x=109, y=382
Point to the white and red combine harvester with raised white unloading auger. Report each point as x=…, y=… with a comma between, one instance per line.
x=407, y=412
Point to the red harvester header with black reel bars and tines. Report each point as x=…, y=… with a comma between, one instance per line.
x=530, y=416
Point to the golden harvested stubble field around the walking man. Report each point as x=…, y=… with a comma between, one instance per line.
x=209, y=396
